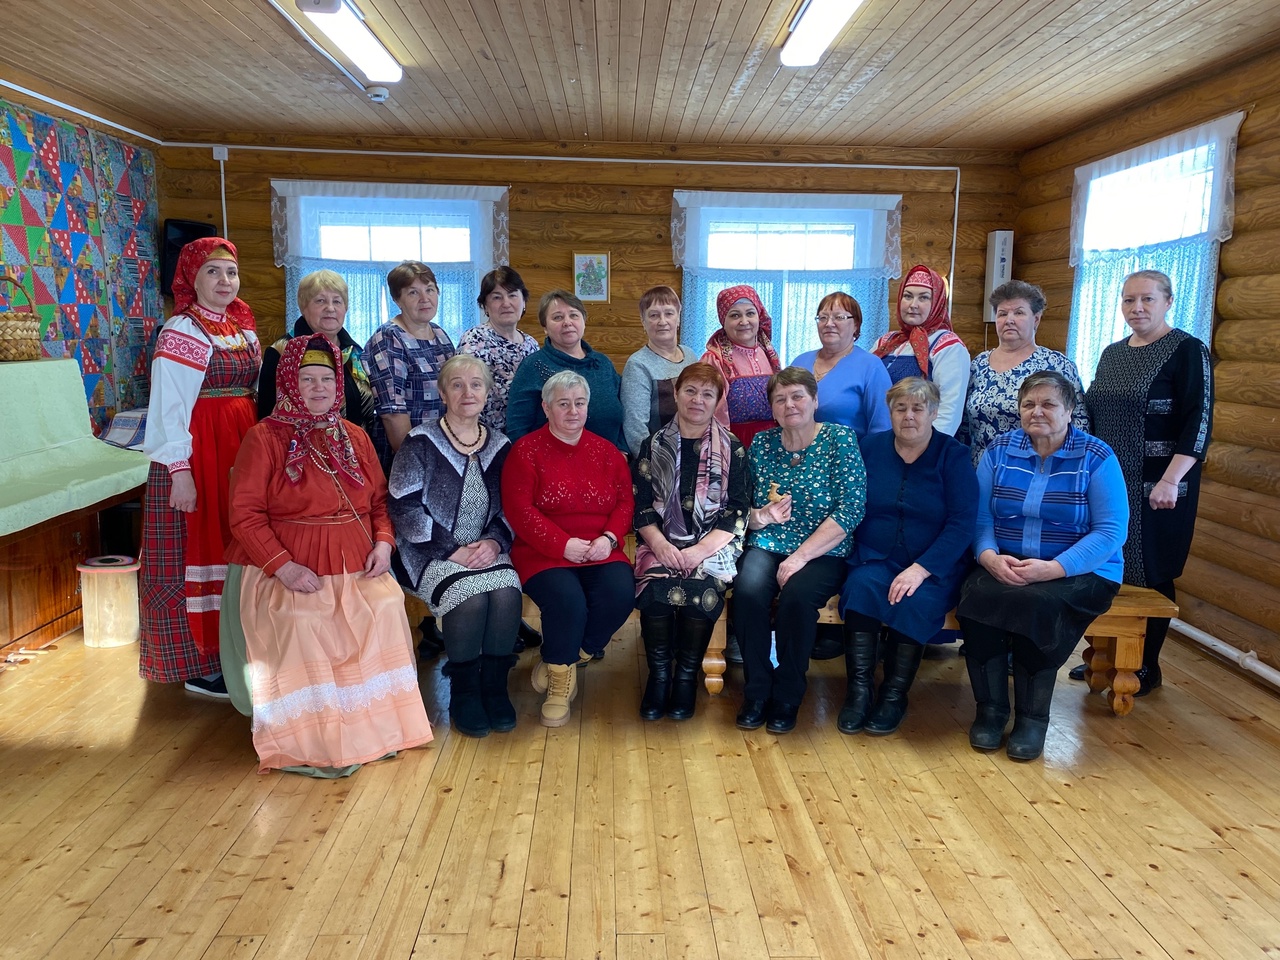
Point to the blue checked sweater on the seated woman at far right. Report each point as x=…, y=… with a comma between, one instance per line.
x=1071, y=508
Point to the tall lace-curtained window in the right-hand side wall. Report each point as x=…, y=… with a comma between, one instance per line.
x=1162, y=207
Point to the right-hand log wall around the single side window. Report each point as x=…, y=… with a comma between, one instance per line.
x=1232, y=584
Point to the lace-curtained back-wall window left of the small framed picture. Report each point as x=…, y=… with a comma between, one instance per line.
x=362, y=231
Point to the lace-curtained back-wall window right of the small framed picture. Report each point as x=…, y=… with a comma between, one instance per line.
x=794, y=249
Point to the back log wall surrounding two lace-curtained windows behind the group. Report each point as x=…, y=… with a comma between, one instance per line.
x=560, y=204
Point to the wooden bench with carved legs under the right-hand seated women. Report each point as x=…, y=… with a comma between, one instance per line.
x=1112, y=659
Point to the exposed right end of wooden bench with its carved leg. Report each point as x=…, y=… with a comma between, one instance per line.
x=1116, y=644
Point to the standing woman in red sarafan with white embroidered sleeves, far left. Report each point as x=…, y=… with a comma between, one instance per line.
x=203, y=380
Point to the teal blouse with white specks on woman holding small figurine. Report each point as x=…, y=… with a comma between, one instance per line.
x=829, y=482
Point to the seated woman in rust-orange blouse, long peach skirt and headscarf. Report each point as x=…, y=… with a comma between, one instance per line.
x=317, y=646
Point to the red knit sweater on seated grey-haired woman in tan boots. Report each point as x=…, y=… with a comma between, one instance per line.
x=552, y=492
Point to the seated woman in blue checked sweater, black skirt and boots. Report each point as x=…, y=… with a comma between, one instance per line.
x=1053, y=515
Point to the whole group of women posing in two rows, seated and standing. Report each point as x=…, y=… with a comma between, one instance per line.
x=505, y=469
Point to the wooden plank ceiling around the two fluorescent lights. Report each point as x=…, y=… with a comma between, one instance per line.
x=913, y=74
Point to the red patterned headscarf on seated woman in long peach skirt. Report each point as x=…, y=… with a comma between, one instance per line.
x=292, y=410
